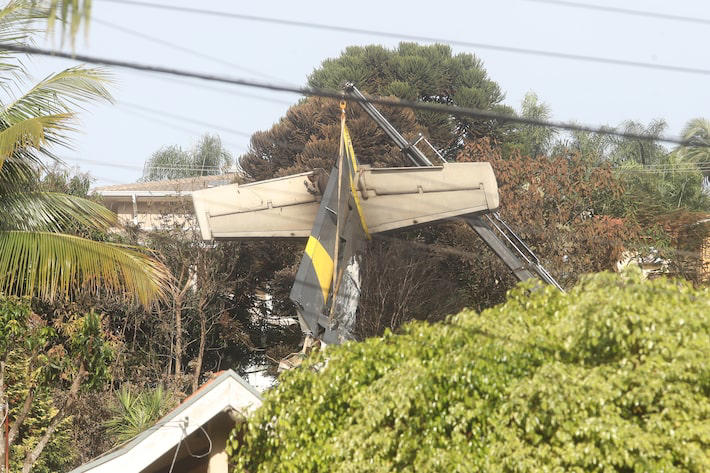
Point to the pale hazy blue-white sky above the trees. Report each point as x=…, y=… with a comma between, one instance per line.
x=116, y=139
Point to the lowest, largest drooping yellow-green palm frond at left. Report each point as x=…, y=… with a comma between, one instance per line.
x=50, y=264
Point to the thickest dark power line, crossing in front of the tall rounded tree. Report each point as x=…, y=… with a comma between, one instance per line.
x=465, y=112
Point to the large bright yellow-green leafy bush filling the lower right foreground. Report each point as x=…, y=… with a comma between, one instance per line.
x=610, y=377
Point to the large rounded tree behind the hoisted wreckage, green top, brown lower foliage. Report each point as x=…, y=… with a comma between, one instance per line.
x=307, y=136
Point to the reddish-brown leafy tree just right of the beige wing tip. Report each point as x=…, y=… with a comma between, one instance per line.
x=562, y=207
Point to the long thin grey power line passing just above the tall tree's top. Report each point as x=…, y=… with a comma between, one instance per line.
x=413, y=37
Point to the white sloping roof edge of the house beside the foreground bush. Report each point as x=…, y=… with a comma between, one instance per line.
x=227, y=391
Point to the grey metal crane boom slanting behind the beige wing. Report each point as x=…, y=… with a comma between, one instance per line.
x=497, y=234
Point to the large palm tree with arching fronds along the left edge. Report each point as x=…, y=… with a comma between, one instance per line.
x=37, y=254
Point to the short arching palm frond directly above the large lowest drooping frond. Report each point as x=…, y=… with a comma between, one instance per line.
x=53, y=212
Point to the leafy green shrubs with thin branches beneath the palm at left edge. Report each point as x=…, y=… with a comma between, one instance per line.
x=40, y=356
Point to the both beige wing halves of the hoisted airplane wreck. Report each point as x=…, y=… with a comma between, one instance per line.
x=391, y=198
